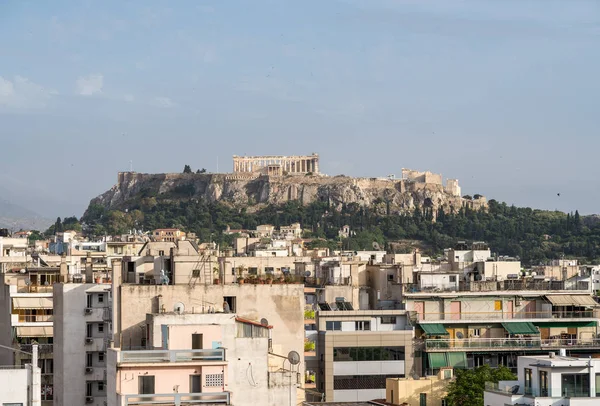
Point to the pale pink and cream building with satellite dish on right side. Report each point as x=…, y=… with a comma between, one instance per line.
x=202, y=358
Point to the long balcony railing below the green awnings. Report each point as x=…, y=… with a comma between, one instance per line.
x=507, y=344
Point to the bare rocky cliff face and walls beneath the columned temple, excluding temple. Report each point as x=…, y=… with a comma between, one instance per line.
x=399, y=196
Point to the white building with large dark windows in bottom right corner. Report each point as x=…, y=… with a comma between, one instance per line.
x=547, y=380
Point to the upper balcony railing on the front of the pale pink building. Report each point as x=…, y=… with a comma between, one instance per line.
x=152, y=356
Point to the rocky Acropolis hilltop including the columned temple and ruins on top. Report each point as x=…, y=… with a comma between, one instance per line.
x=259, y=181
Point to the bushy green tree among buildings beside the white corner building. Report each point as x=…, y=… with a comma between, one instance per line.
x=467, y=389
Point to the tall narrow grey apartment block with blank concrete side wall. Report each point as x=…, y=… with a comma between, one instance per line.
x=82, y=332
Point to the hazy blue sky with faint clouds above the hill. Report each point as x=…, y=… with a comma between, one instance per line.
x=502, y=94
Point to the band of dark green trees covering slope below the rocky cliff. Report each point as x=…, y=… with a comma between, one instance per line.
x=532, y=235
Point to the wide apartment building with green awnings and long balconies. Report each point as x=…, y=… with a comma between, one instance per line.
x=469, y=329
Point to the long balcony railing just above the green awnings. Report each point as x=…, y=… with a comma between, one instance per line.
x=504, y=315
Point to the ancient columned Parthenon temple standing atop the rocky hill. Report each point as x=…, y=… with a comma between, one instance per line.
x=276, y=165
